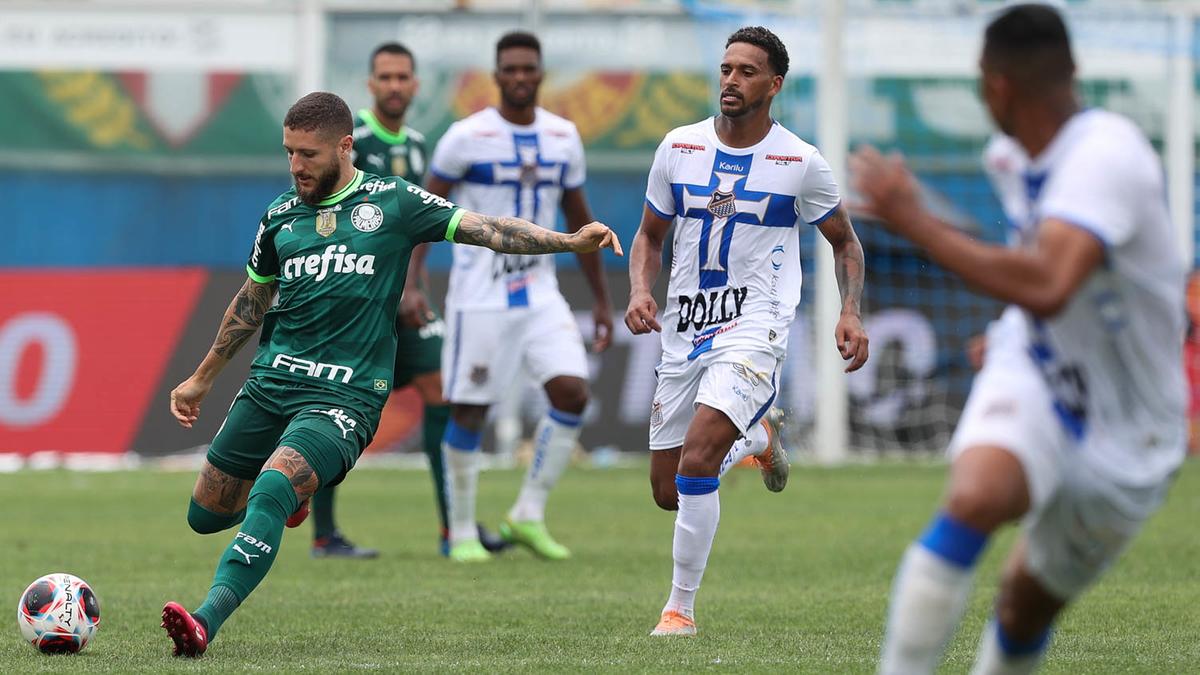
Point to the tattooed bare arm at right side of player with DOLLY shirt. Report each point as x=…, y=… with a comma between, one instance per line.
x=850, y=267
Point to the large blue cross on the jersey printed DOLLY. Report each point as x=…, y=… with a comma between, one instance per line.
x=723, y=205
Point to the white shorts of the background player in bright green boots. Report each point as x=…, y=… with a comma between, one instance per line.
x=484, y=350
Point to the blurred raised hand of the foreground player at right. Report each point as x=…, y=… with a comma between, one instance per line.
x=887, y=189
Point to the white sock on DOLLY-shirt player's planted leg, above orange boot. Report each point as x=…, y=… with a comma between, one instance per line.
x=695, y=528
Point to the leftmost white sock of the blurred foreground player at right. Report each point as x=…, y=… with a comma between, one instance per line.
x=928, y=599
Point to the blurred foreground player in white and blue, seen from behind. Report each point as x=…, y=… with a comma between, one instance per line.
x=1077, y=421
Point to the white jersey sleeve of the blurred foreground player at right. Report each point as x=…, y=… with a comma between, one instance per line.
x=1100, y=188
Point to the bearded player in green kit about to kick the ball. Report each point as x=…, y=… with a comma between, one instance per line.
x=333, y=253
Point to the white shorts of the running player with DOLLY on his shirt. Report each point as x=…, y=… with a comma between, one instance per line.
x=742, y=385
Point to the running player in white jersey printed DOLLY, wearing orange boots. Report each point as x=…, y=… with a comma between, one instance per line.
x=739, y=189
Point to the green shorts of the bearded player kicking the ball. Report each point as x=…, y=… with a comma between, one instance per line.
x=328, y=429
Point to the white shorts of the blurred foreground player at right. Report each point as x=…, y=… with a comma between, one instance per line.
x=1079, y=522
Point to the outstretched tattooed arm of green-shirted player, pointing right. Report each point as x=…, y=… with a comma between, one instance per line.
x=517, y=236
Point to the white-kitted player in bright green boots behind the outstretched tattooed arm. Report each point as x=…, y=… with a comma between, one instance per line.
x=506, y=312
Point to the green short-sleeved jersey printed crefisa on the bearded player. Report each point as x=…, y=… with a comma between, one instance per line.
x=341, y=266
